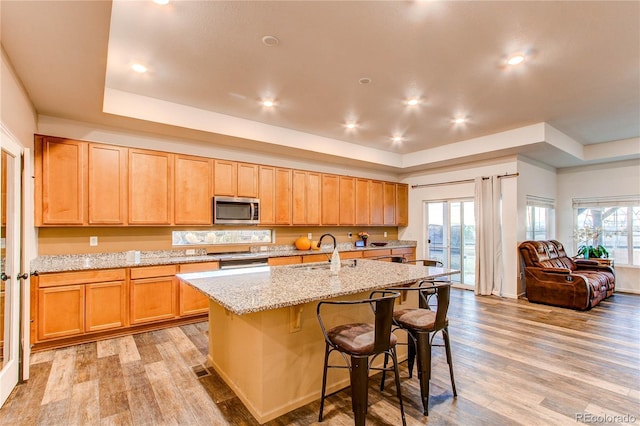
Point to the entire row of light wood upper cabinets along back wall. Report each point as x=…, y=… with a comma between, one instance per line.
x=80, y=183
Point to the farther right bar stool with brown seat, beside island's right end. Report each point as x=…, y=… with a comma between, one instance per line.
x=422, y=325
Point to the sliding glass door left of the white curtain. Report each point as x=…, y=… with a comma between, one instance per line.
x=451, y=237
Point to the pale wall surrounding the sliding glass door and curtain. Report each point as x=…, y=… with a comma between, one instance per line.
x=417, y=196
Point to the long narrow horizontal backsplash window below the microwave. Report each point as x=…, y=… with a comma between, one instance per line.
x=223, y=237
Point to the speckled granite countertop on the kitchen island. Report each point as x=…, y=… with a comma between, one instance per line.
x=248, y=290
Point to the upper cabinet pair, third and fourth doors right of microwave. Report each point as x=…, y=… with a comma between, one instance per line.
x=306, y=198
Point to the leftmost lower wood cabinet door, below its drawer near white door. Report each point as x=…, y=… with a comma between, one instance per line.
x=60, y=311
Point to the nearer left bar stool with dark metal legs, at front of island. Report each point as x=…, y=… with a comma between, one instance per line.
x=357, y=343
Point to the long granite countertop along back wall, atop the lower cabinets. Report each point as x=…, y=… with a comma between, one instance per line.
x=85, y=262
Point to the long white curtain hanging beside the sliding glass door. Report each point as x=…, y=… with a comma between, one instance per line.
x=489, y=263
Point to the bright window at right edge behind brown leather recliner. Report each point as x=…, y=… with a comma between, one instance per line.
x=618, y=220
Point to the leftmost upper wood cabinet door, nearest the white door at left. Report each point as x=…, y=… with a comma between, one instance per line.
x=61, y=191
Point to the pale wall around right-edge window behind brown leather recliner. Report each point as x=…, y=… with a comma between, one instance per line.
x=602, y=180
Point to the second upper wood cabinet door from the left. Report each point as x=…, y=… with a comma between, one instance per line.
x=107, y=185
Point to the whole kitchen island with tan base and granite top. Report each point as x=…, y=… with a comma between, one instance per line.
x=264, y=338
